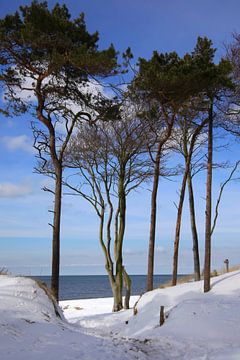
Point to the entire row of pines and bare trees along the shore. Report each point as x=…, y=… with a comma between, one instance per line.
x=101, y=140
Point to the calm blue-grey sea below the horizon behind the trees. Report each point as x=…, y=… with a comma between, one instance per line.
x=96, y=286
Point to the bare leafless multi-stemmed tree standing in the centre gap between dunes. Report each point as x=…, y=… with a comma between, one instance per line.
x=111, y=158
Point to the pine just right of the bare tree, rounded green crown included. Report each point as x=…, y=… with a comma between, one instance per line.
x=164, y=83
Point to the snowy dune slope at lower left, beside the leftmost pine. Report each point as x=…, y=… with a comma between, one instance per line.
x=31, y=330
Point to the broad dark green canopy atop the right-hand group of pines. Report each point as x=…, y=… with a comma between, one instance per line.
x=172, y=80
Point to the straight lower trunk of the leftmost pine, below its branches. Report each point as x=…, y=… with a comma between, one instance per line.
x=56, y=232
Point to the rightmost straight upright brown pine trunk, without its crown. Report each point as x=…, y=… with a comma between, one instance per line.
x=208, y=212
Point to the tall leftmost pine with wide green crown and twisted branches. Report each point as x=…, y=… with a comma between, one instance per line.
x=47, y=55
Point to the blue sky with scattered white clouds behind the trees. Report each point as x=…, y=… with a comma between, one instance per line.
x=25, y=236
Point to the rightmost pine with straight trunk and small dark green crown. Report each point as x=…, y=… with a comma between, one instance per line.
x=214, y=79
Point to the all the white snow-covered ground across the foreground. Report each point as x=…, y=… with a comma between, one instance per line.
x=197, y=327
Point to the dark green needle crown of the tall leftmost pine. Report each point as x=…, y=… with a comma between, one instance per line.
x=39, y=43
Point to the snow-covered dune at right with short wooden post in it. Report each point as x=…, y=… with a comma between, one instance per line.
x=197, y=326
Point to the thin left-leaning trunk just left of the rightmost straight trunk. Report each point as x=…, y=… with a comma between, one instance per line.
x=196, y=259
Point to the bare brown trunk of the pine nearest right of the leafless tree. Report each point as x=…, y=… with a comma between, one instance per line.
x=153, y=220
